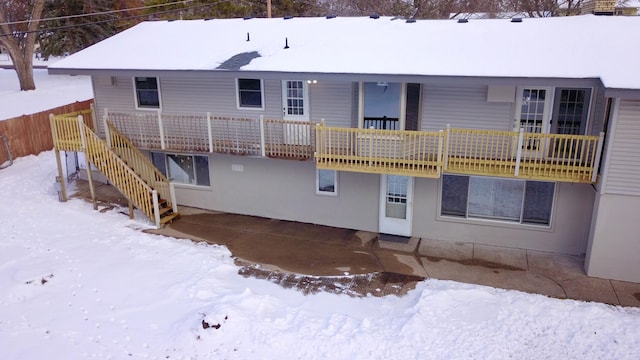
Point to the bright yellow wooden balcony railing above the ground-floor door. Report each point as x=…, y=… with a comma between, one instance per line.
x=554, y=157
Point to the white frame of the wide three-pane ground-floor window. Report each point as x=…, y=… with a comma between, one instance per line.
x=498, y=221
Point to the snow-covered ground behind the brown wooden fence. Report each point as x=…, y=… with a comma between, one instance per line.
x=51, y=91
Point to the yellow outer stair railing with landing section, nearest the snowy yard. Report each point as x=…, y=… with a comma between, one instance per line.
x=72, y=134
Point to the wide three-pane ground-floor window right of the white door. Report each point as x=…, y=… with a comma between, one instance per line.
x=511, y=200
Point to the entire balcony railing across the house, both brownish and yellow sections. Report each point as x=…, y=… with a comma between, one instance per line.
x=528, y=155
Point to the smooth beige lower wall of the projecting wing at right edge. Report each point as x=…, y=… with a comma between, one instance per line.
x=614, y=246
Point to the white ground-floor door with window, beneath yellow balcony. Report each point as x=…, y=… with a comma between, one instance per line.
x=396, y=204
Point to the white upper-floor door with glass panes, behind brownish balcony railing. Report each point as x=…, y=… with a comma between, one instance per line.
x=295, y=107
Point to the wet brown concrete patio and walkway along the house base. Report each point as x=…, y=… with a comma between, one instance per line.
x=316, y=258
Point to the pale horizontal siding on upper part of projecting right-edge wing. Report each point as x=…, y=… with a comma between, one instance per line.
x=624, y=160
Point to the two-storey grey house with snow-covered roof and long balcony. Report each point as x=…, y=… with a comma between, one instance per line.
x=521, y=133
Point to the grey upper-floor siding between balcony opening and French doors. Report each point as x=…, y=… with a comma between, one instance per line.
x=464, y=107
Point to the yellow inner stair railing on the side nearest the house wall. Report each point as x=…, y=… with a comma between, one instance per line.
x=141, y=164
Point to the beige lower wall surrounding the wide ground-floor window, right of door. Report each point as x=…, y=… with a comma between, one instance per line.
x=568, y=232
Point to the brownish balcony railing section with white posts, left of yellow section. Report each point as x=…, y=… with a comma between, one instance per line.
x=216, y=134
